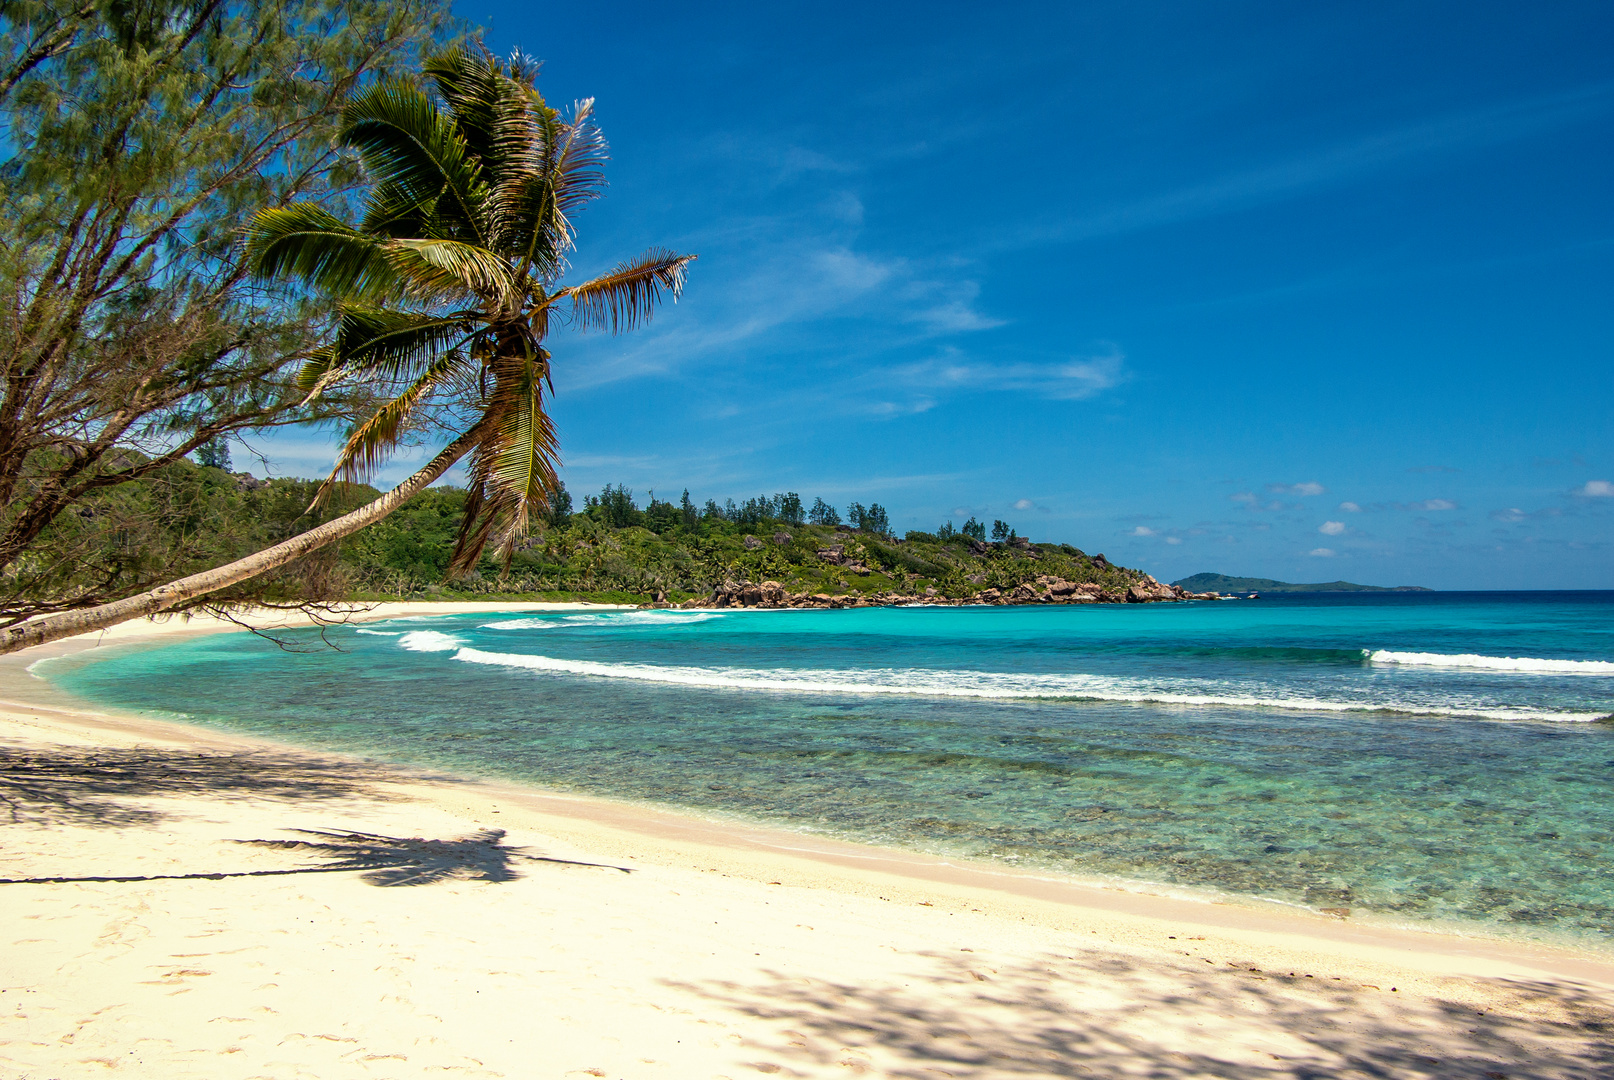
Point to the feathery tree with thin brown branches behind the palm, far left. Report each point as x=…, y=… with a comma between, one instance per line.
x=136, y=141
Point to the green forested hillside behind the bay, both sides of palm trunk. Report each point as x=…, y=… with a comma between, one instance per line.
x=608, y=550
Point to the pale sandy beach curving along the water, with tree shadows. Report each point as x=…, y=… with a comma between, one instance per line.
x=183, y=903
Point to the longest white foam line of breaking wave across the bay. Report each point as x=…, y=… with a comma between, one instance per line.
x=992, y=685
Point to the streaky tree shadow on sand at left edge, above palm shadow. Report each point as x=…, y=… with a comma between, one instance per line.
x=73, y=787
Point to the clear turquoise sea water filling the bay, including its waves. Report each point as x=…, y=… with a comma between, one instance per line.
x=1408, y=756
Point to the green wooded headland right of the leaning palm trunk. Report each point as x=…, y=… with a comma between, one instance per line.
x=616, y=551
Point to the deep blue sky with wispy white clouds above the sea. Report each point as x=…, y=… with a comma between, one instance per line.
x=1297, y=291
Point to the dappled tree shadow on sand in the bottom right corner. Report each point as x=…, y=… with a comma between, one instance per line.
x=1103, y=1016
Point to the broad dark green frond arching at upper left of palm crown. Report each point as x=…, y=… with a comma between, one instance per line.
x=414, y=149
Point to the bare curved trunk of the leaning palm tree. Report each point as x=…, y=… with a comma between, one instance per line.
x=165, y=597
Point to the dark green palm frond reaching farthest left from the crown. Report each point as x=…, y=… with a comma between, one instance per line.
x=312, y=245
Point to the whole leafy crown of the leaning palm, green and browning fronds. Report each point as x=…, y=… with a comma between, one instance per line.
x=448, y=285
